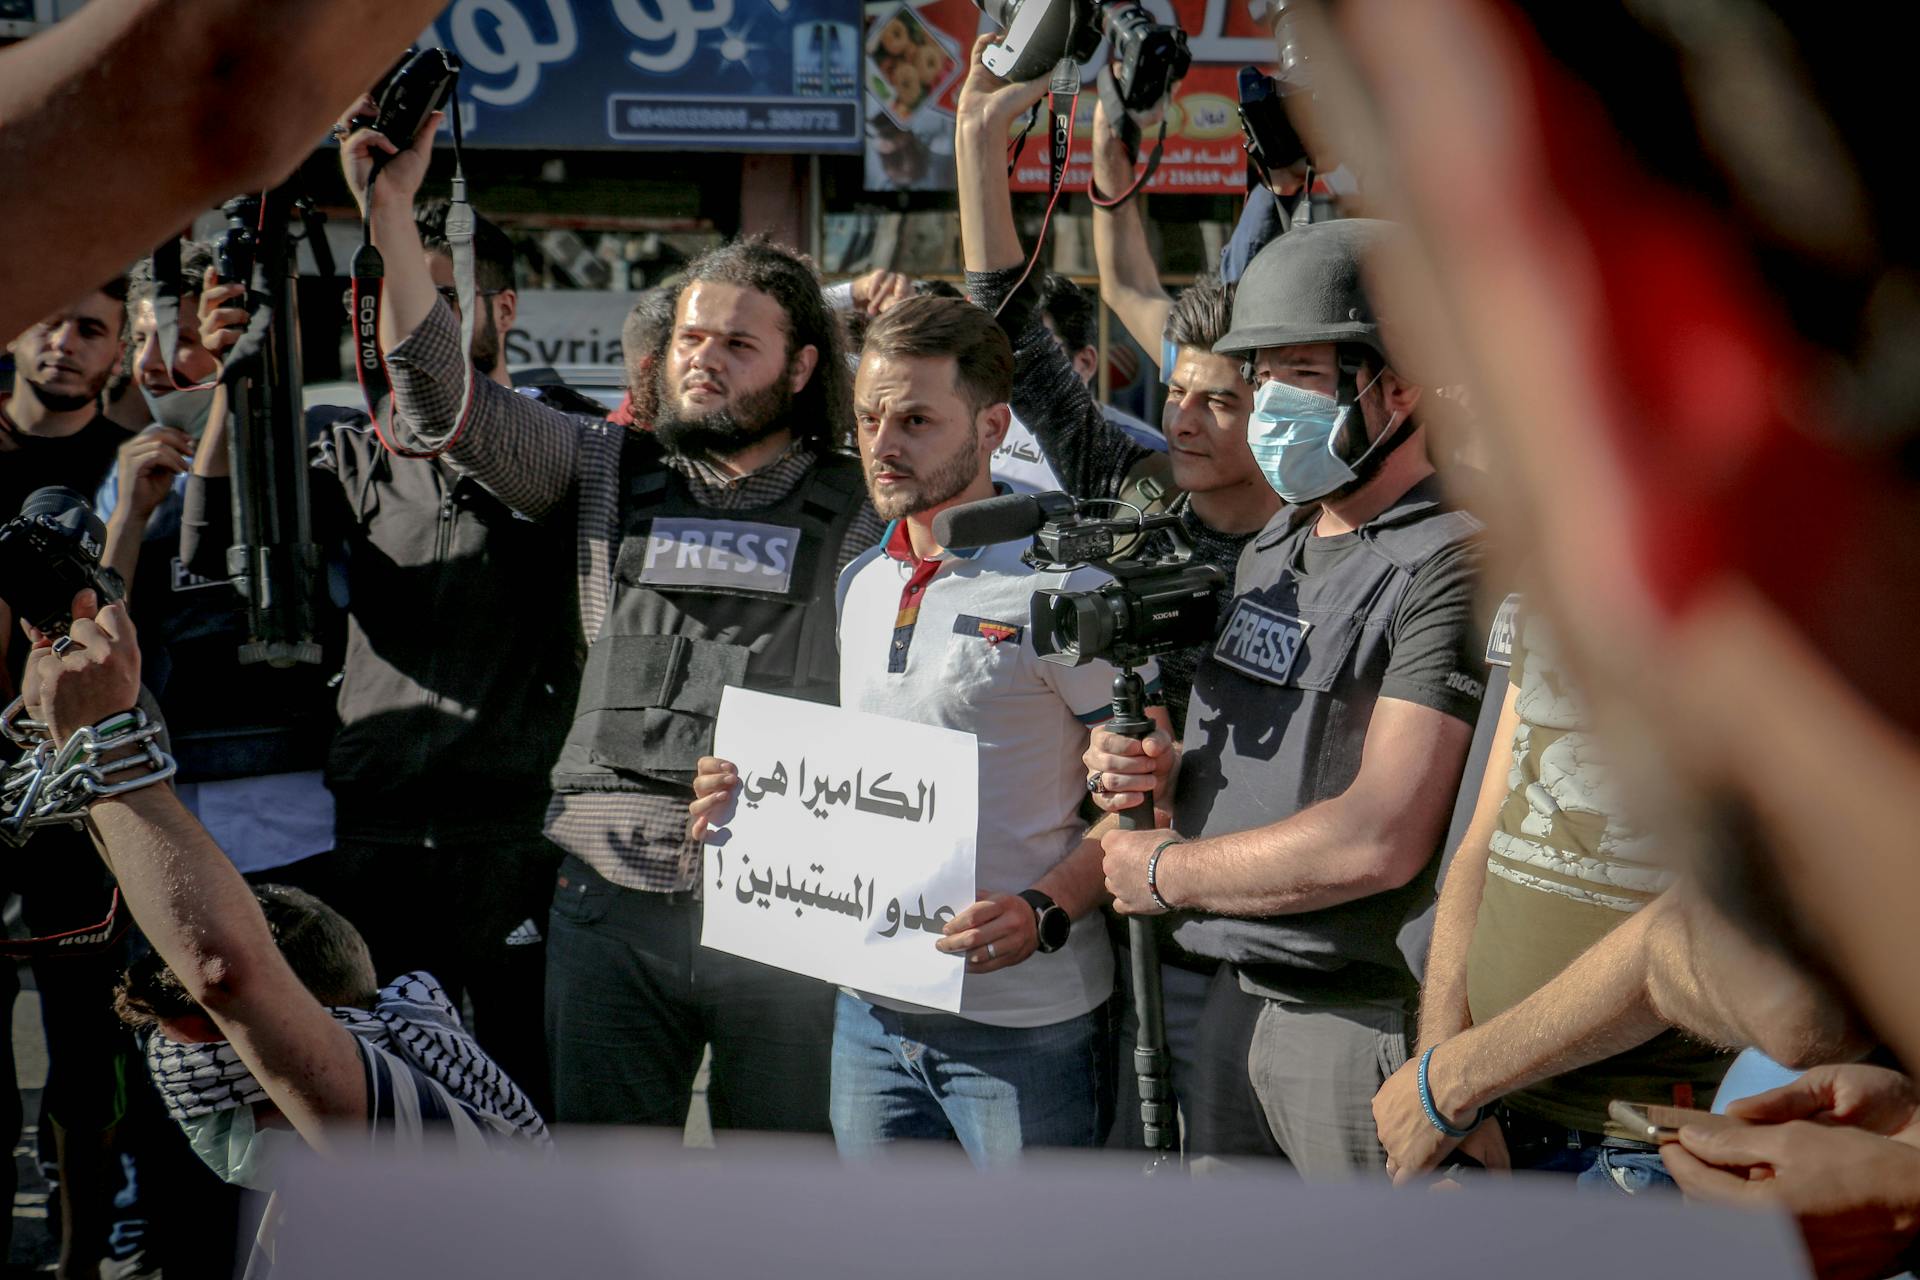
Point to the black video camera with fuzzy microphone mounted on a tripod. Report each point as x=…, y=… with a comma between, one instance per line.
x=1155, y=604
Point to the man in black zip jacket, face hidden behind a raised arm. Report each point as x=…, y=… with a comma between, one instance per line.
x=439, y=765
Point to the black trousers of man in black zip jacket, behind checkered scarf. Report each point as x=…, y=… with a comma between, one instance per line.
x=469, y=914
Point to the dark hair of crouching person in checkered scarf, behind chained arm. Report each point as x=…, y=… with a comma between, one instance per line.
x=325, y=953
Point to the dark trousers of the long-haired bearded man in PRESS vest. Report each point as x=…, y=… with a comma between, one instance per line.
x=635, y=999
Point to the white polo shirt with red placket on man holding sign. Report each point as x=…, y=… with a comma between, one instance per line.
x=948, y=644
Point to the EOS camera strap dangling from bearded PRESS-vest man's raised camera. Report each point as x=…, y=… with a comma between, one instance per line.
x=370, y=283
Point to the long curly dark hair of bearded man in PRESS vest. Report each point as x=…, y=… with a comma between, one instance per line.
x=823, y=410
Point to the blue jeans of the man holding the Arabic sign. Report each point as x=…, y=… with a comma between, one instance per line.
x=997, y=1091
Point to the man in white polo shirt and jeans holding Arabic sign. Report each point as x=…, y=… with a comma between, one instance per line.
x=942, y=640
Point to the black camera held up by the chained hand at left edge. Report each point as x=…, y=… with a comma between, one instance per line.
x=49, y=554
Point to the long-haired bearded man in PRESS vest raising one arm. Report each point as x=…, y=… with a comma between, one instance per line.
x=708, y=554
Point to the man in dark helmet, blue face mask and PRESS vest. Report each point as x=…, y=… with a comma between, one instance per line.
x=1326, y=734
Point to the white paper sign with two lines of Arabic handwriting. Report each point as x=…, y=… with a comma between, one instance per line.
x=848, y=849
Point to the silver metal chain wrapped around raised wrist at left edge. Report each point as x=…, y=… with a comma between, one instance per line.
x=55, y=786
